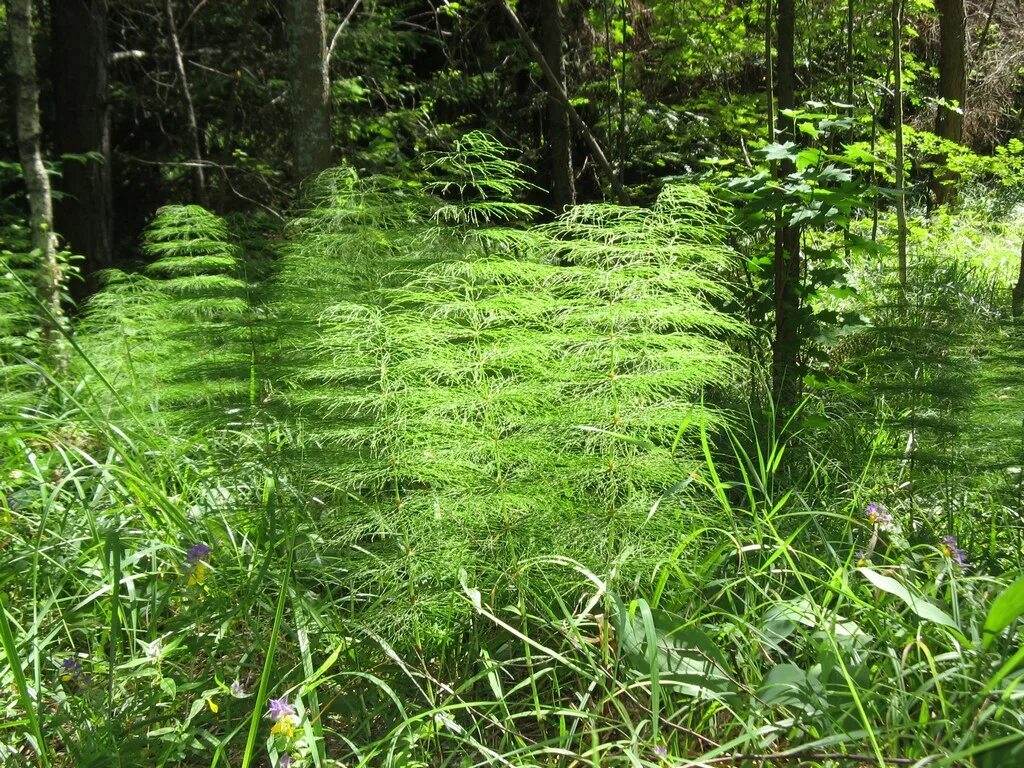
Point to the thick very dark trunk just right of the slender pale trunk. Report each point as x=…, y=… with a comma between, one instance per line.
x=86, y=216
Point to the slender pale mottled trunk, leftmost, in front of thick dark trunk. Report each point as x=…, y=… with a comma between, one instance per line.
x=45, y=243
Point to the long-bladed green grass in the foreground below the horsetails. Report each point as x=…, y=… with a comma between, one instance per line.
x=789, y=628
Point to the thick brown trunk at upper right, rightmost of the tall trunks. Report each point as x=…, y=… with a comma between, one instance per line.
x=953, y=86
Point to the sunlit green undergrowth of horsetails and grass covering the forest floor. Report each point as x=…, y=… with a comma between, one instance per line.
x=422, y=483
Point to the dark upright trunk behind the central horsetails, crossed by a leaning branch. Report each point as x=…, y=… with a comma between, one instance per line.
x=560, y=130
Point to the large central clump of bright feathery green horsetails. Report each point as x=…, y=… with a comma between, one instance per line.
x=492, y=393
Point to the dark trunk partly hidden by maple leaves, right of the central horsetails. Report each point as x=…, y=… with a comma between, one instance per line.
x=786, y=348
